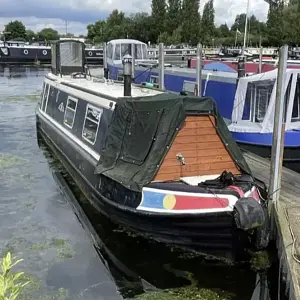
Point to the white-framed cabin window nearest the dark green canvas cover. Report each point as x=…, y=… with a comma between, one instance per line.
x=91, y=123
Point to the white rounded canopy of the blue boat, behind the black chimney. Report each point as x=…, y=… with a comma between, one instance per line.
x=117, y=49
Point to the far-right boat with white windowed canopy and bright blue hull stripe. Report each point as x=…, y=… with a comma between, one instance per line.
x=252, y=118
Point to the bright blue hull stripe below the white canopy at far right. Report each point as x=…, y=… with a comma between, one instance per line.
x=292, y=138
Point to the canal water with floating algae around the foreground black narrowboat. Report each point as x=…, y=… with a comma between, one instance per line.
x=38, y=225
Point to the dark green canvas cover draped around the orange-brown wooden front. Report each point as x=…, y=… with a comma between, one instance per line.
x=142, y=130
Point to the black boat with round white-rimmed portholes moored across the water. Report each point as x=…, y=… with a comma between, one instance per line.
x=18, y=55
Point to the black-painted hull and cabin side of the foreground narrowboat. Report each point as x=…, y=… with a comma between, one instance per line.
x=213, y=233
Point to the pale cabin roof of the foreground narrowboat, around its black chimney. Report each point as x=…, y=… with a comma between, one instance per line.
x=111, y=90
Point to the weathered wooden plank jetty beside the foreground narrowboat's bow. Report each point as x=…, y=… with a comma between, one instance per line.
x=287, y=217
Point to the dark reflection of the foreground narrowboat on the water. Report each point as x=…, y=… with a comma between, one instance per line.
x=138, y=264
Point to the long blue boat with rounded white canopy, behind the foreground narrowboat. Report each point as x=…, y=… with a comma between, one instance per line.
x=216, y=83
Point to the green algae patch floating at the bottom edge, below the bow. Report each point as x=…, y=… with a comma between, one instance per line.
x=185, y=293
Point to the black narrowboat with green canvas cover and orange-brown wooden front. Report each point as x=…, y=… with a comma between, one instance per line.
x=160, y=164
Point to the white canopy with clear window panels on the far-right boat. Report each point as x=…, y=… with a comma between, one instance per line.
x=254, y=103
